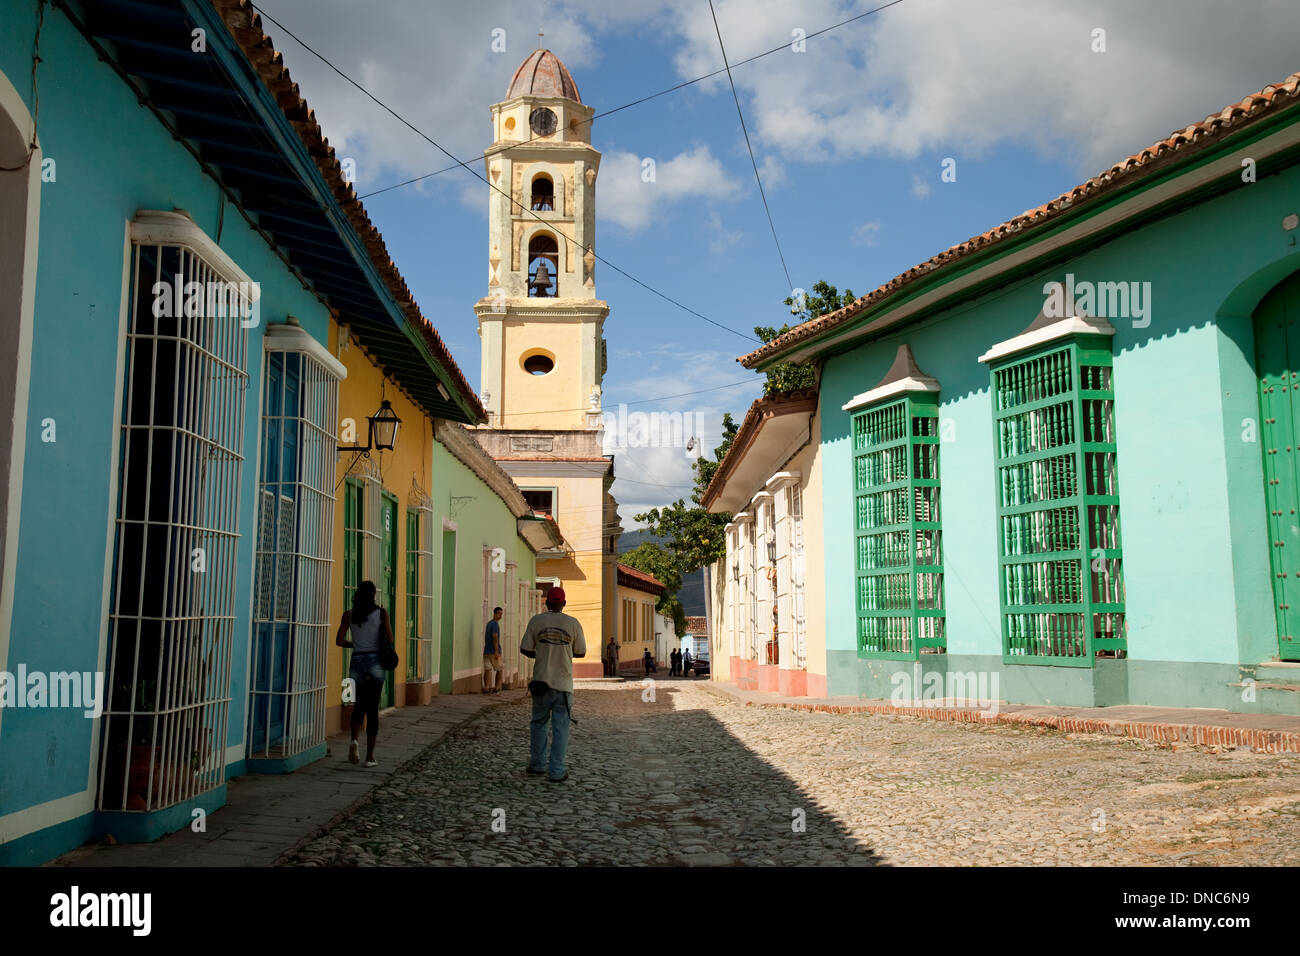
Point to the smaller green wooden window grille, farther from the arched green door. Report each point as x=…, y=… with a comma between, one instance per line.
x=900, y=559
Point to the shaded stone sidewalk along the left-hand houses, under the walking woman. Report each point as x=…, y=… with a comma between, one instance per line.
x=270, y=815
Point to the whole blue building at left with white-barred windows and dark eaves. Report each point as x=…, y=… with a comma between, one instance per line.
x=177, y=243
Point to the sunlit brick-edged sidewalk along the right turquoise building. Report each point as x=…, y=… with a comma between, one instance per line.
x=1202, y=726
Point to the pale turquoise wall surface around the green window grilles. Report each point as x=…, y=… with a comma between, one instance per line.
x=1197, y=560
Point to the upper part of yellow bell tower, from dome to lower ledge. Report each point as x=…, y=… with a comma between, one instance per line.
x=541, y=326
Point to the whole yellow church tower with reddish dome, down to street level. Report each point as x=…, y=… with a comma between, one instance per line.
x=541, y=336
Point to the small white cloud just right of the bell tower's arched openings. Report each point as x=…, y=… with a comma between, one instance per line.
x=632, y=193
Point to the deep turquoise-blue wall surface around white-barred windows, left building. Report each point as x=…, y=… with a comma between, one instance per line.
x=112, y=158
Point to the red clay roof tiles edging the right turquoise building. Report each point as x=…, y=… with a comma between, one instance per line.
x=1132, y=170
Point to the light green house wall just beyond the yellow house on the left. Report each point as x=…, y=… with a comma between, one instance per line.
x=483, y=521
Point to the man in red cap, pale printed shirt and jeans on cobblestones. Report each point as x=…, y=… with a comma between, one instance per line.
x=553, y=639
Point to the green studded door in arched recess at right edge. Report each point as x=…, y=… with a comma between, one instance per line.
x=1277, y=357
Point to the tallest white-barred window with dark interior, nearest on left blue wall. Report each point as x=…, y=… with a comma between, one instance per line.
x=176, y=538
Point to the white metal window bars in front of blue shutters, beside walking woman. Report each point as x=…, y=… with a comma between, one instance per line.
x=294, y=556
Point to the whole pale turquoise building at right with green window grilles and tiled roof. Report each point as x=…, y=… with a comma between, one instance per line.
x=1060, y=460
